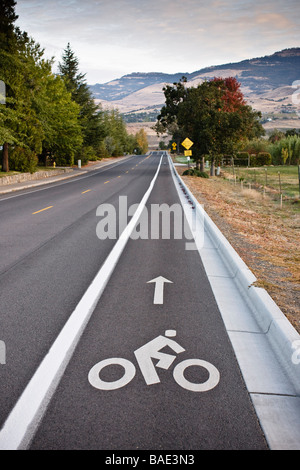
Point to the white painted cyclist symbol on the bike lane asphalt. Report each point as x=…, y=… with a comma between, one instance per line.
x=144, y=356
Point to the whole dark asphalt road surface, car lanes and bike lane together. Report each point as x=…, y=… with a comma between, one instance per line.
x=51, y=252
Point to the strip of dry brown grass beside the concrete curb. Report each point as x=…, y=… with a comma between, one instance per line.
x=265, y=236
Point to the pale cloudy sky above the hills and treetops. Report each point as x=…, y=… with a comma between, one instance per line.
x=112, y=38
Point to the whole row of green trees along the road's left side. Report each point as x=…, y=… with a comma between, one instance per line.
x=46, y=114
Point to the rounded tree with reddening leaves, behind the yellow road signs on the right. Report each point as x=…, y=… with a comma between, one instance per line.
x=214, y=115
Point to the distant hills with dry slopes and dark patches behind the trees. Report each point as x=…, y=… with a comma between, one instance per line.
x=265, y=81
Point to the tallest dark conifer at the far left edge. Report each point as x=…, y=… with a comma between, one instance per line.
x=18, y=58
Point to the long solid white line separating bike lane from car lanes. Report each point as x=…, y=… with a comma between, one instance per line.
x=24, y=419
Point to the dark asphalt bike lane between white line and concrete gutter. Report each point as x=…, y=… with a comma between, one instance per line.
x=158, y=409
